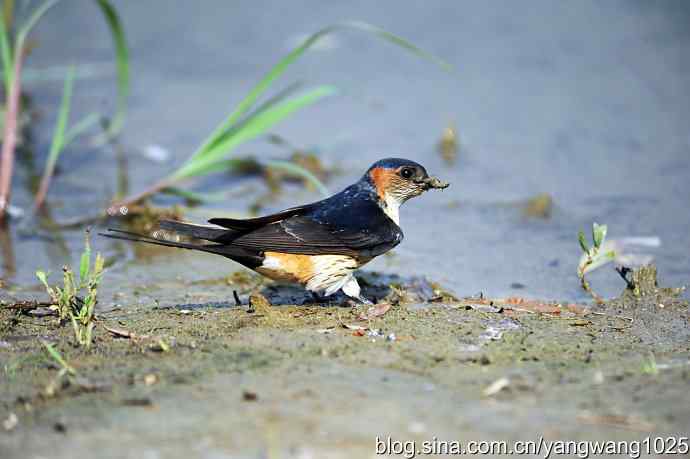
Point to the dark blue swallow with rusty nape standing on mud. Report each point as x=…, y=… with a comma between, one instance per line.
x=317, y=245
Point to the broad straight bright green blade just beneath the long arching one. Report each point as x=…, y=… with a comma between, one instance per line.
x=251, y=128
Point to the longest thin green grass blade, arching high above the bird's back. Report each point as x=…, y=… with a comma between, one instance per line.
x=246, y=104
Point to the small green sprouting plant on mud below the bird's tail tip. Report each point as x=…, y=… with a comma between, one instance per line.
x=67, y=300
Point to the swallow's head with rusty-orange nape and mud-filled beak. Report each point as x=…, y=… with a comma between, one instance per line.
x=398, y=180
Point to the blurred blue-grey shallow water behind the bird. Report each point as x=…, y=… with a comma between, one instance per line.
x=558, y=114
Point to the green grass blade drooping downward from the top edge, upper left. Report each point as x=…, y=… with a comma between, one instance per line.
x=122, y=63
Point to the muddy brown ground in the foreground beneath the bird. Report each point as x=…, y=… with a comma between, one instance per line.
x=217, y=379
